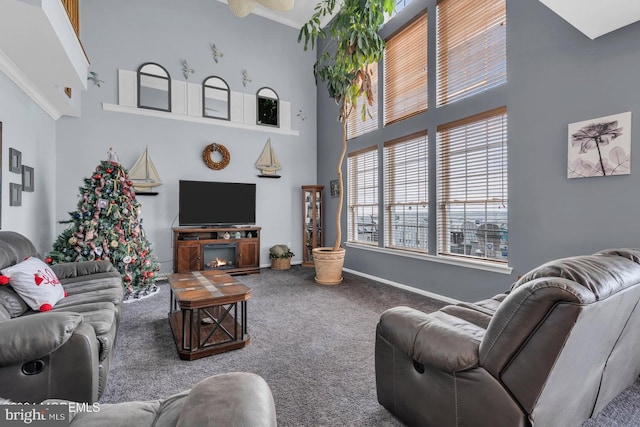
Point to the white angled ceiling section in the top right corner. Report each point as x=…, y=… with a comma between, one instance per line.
x=595, y=18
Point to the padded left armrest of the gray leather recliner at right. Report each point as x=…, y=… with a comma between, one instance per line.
x=440, y=340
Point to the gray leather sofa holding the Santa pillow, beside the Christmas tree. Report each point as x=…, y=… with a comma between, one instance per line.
x=63, y=353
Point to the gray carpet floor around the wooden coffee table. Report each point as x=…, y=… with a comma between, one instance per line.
x=314, y=345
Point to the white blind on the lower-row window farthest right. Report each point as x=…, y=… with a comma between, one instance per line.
x=472, y=188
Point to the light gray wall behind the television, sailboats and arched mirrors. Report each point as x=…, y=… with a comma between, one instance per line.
x=124, y=34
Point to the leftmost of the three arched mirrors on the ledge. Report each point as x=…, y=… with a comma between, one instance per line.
x=154, y=87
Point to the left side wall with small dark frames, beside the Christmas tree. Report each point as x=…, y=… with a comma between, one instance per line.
x=28, y=129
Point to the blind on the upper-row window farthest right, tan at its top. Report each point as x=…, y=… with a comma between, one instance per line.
x=471, y=44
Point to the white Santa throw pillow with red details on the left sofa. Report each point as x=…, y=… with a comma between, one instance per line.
x=35, y=282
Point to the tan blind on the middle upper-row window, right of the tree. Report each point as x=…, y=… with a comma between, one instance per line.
x=405, y=72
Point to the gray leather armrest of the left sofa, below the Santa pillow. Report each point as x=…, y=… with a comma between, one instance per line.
x=36, y=335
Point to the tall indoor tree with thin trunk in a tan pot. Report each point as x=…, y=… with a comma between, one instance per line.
x=353, y=45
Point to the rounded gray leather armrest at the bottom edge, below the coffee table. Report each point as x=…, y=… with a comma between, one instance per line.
x=246, y=401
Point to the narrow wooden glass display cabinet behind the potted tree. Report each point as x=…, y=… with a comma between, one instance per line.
x=312, y=221
